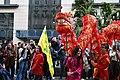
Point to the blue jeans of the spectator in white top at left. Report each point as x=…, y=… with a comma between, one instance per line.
x=22, y=71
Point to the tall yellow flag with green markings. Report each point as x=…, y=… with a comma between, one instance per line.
x=43, y=42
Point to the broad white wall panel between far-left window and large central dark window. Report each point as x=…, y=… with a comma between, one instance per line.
x=21, y=14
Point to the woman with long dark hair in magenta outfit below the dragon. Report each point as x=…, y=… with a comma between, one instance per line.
x=74, y=64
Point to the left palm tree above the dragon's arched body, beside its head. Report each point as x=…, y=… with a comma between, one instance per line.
x=81, y=8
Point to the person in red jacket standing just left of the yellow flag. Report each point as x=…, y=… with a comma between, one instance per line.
x=38, y=61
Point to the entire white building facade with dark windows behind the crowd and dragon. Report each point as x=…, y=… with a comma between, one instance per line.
x=22, y=20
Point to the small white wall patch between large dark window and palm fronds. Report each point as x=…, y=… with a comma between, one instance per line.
x=67, y=5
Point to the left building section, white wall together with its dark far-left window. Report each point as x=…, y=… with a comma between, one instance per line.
x=13, y=16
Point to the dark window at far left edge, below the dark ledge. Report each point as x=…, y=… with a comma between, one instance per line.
x=6, y=25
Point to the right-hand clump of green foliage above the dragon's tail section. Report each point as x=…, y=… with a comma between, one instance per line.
x=108, y=13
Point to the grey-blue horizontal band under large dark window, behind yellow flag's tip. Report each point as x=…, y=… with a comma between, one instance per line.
x=34, y=34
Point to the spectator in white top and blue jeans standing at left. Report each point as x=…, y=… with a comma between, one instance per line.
x=23, y=62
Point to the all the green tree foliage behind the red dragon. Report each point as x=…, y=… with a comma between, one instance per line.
x=107, y=14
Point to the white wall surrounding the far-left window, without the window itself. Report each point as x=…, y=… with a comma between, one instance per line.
x=20, y=16
